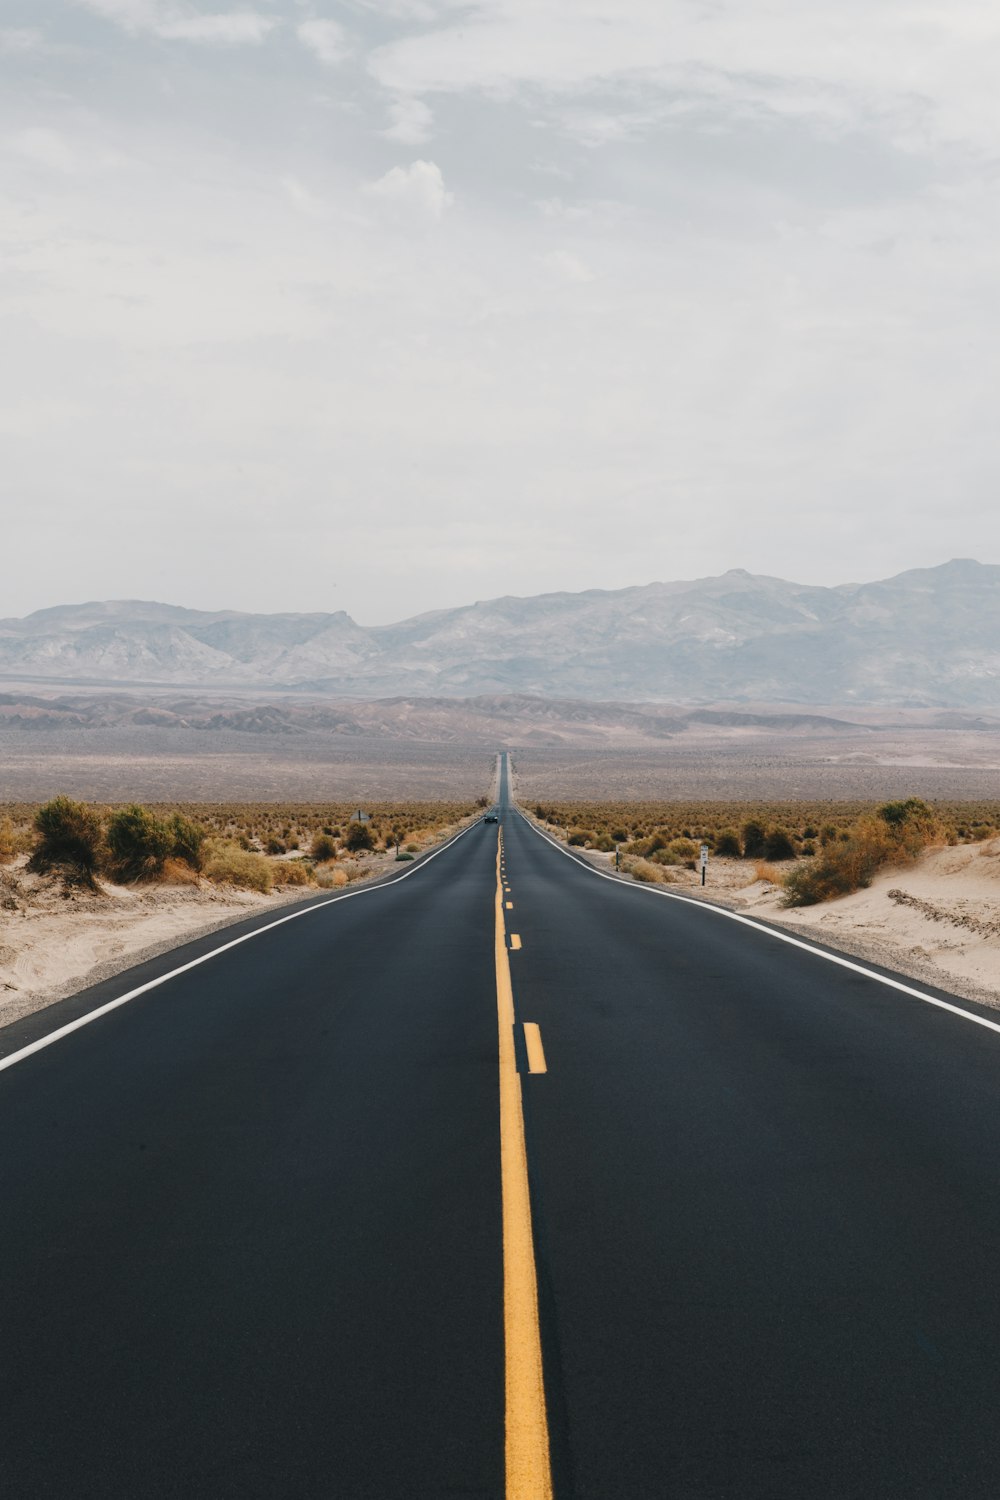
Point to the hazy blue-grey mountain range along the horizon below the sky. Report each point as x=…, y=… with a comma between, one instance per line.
x=924, y=638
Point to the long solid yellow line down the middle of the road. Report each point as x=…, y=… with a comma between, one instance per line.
x=527, y=1424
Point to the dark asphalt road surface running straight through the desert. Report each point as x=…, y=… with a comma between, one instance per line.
x=251, y=1223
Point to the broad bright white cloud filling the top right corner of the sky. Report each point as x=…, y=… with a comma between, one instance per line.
x=915, y=73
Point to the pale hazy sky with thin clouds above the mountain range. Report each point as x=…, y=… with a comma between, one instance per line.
x=391, y=305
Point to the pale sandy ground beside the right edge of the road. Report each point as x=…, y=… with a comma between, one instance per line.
x=936, y=922
